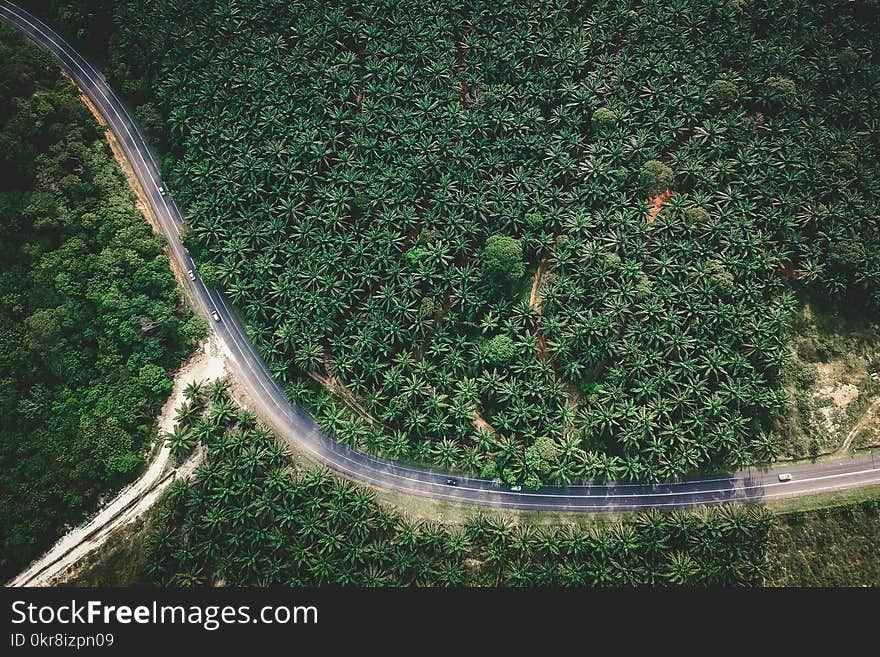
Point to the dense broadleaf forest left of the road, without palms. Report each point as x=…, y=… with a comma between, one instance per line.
x=90, y=318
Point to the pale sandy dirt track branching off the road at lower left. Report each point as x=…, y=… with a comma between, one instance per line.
x=207, y=364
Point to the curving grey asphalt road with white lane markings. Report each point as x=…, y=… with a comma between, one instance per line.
x=300, y=430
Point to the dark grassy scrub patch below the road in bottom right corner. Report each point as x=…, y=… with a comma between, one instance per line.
x=839, y=546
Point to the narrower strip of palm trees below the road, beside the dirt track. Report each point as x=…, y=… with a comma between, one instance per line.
x=248, y=517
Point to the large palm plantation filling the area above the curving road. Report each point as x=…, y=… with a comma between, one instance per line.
x=540, y=241
